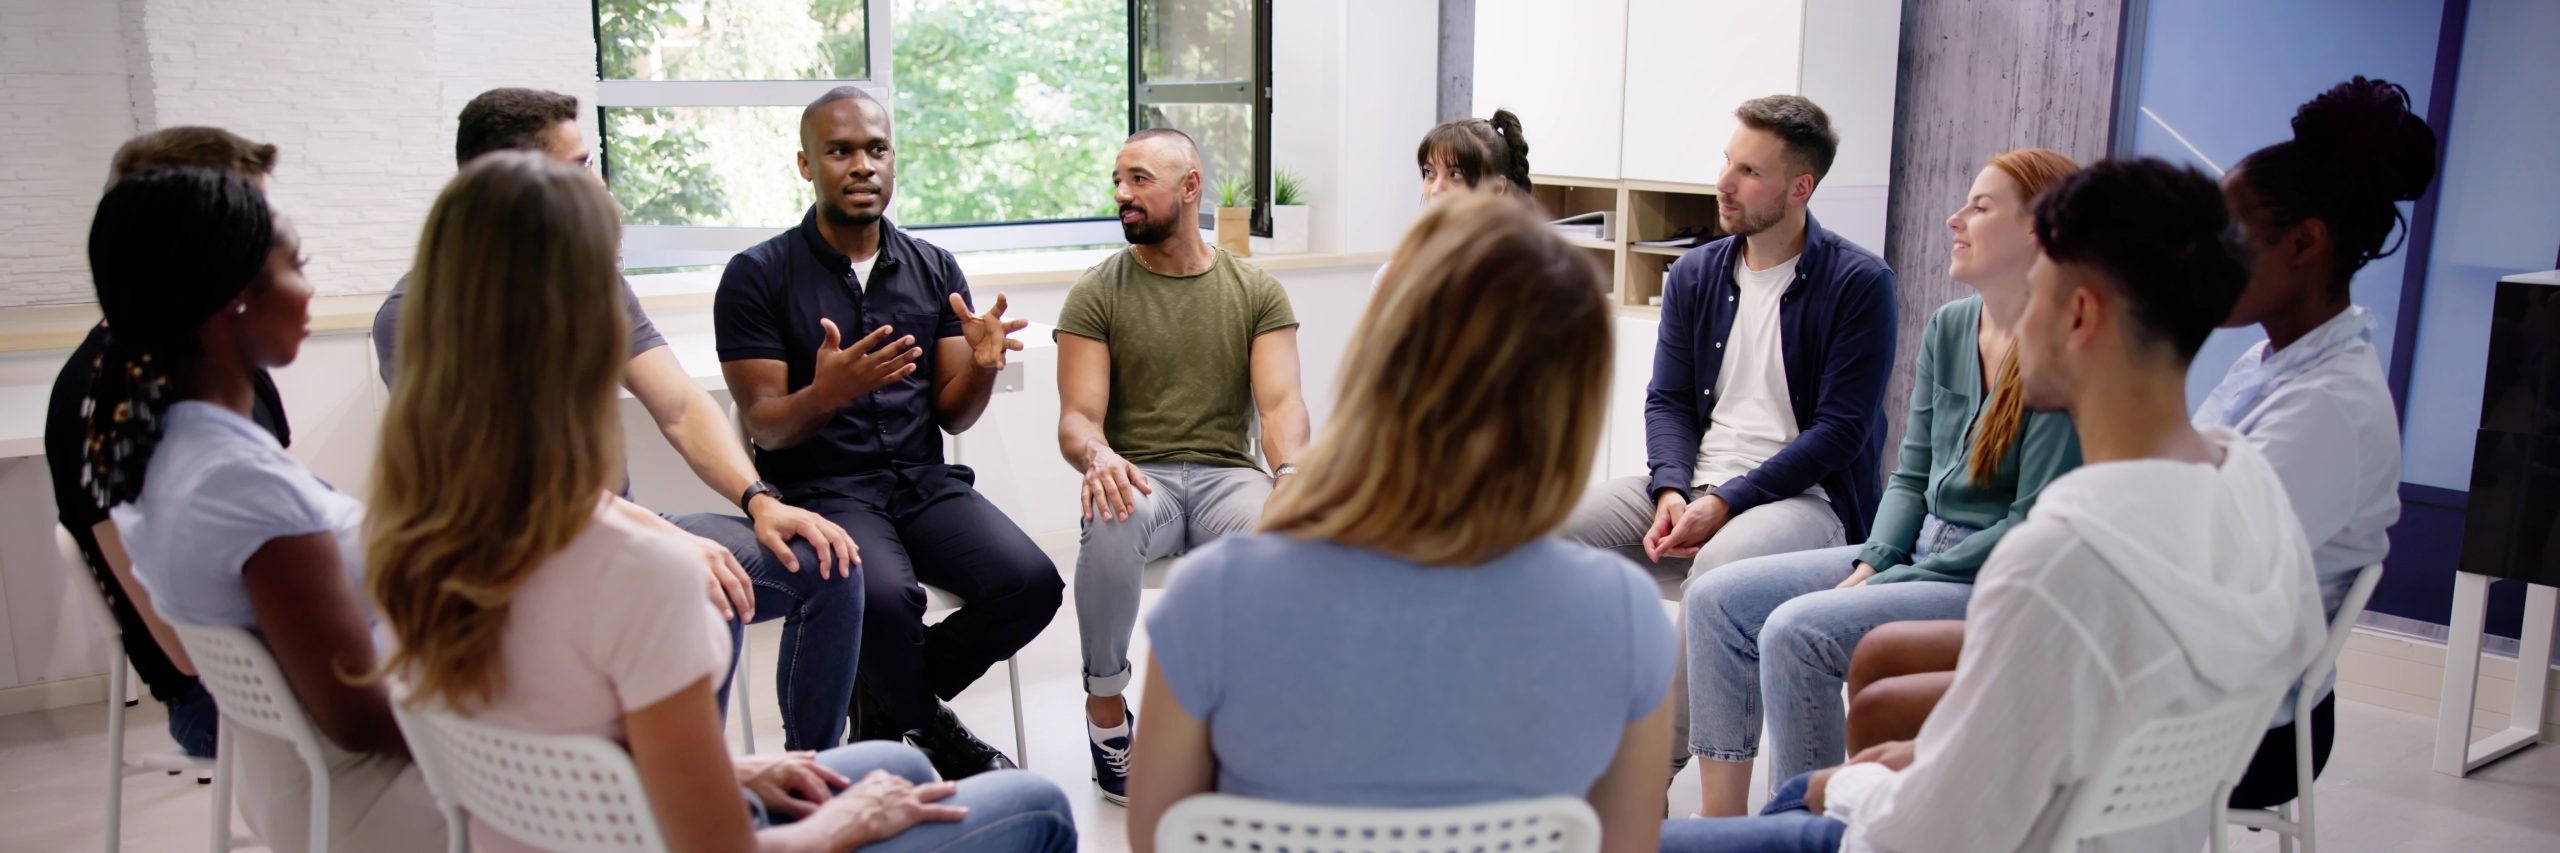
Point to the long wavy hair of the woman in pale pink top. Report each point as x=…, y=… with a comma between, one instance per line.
x=500, y=437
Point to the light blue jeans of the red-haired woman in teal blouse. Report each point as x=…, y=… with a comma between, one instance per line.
x=1773, y=634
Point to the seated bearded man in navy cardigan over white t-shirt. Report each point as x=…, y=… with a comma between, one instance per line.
x=1765, y=424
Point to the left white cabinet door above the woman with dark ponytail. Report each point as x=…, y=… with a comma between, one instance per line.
x=1563, y=70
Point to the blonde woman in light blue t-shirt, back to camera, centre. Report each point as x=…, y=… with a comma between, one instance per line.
x=1404, y=631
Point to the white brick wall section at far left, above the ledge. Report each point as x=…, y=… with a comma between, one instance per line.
x=63, y=111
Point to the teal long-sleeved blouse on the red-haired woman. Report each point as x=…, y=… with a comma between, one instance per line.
x=1937, y=444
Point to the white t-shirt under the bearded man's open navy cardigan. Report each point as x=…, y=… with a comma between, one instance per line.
x=1752, y=411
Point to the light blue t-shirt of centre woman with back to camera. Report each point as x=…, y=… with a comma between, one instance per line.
x=1348, y=678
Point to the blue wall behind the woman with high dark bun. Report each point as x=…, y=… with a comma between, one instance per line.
x=2228, y=76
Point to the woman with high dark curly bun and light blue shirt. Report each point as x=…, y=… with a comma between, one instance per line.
x=2313, y=398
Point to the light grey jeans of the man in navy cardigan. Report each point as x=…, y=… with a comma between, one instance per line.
x=1617, y=514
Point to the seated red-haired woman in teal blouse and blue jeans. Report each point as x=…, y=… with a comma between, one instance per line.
x=1773, y=637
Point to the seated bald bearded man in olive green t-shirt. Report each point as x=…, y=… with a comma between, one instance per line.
x=1166, y=355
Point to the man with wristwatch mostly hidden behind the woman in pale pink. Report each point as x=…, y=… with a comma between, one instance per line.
x=774, y=562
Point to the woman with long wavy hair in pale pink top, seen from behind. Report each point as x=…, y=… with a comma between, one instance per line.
x=521, y=598
